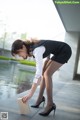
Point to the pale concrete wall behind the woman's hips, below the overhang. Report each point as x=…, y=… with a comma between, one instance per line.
x=69, y=70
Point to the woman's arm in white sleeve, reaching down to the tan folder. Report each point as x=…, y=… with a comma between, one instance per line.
x=38, y=53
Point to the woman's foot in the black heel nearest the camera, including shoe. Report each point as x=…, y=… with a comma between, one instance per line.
x=48, y=110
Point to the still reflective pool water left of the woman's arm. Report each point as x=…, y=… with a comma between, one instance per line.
x=14, y=78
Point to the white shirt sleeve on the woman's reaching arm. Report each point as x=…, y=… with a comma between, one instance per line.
x=38, y=54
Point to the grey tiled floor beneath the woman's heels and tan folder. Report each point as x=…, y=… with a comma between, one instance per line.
x=66, y=96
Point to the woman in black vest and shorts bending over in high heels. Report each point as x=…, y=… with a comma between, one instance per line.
x=40, y=49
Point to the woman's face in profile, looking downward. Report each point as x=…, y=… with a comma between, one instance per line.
x=22, y=53
